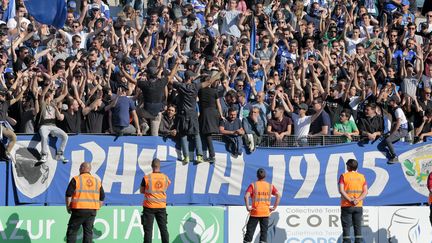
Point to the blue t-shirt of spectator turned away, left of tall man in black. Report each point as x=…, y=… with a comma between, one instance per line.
x=120, y=113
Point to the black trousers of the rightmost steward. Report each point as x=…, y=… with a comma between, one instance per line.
x=351, y=216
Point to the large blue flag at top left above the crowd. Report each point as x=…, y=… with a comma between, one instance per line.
x=50, y=12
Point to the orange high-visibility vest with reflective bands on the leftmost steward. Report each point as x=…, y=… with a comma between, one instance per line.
x=87, y=191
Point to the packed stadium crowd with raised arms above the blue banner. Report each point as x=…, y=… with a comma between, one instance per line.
x=189, y=69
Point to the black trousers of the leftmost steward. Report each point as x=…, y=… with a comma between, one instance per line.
x=86, y=219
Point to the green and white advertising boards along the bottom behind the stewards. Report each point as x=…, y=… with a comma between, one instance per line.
x=192, y=224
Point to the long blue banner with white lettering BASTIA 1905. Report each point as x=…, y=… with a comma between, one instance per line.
x=304, y=176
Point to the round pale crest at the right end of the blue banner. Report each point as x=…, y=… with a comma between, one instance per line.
x=417, y=164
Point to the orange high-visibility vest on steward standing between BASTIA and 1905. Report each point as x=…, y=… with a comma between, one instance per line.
x=261, y=199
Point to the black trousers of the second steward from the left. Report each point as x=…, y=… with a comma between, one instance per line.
x=147, y=219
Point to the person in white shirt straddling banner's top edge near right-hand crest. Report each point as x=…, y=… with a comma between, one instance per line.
x=399, y=129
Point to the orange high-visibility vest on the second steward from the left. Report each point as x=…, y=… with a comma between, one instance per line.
x=156, y=185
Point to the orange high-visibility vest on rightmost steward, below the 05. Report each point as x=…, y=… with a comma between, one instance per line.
x=353, y=185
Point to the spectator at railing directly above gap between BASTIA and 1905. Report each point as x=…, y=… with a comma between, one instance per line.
x=253, y=126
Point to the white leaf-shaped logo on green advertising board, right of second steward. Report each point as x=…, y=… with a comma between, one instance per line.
x=194, y=229
